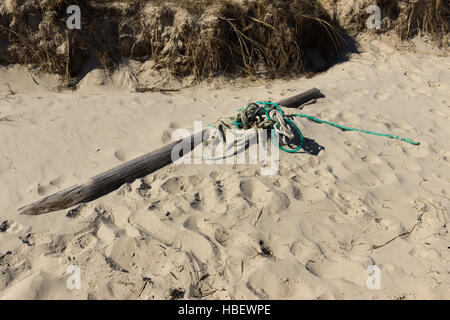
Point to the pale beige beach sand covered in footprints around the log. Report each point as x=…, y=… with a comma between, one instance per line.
x=197, y=228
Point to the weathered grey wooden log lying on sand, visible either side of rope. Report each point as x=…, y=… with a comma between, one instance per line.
x=112, y=179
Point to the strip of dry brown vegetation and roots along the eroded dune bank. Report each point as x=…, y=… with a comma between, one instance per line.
x=203, y=38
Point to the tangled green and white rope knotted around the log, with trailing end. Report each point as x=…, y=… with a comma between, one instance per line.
x=269, y=115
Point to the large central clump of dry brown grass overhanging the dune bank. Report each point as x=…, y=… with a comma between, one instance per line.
x=274, y=38
